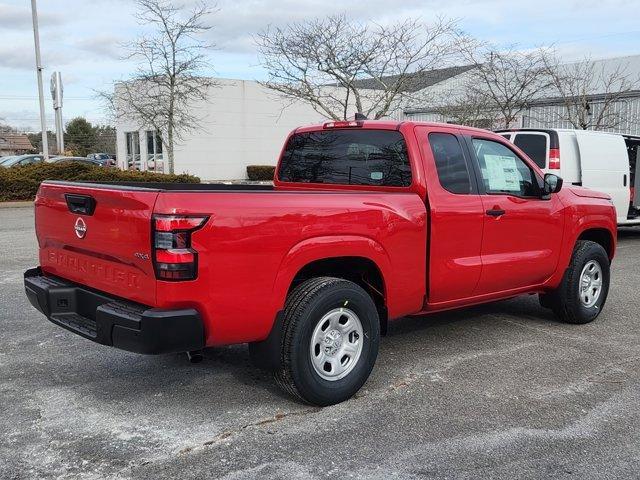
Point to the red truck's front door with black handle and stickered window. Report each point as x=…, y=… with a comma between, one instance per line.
x=522, y=229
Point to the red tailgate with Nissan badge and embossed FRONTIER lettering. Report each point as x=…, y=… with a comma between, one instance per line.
x=108, y=249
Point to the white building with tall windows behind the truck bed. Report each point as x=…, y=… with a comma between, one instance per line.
x=242, y=123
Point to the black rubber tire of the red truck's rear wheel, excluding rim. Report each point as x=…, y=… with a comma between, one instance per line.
x=304, y=308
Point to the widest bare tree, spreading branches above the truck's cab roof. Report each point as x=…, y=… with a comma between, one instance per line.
x=337, y=65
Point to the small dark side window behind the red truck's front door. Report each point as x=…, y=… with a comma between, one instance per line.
x=450, y=163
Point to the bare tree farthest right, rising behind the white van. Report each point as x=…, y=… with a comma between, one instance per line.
x=590, y=91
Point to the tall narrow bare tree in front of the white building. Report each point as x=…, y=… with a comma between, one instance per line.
x=169, y=79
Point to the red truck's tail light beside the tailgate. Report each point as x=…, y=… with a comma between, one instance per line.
x=174, y=258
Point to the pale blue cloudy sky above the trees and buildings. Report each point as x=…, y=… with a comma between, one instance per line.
x=82, y=38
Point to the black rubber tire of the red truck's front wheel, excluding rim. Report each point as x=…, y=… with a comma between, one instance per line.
x=565, y=300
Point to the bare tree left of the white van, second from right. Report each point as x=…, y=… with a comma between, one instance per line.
x=507, y=80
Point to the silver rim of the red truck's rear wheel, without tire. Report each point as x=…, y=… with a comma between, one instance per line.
x=336, y=344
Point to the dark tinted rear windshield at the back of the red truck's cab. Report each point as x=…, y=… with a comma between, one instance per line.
x=347, y=157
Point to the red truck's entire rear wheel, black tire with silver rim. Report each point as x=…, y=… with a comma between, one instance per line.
x=330, y=341
